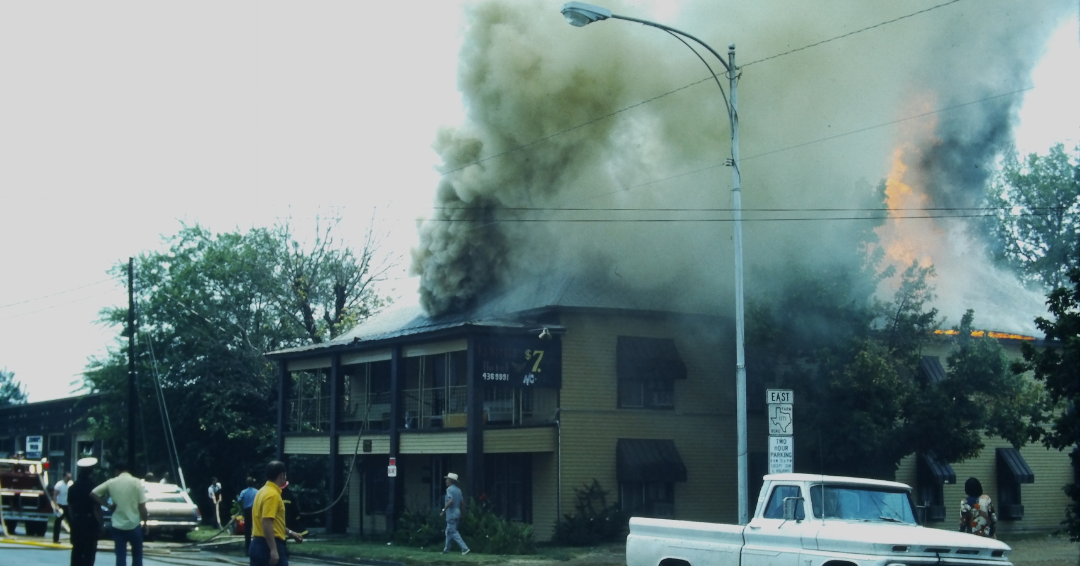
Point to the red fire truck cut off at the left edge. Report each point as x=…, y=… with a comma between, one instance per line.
x=24, y=495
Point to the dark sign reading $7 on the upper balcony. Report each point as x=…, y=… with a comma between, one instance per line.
x=519, y=361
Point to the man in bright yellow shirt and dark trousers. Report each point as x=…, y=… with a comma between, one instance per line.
x=268, y=521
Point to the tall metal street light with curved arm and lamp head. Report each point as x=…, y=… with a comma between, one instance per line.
x=580, y=15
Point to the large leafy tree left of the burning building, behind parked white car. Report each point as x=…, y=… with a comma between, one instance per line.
x=209, y=308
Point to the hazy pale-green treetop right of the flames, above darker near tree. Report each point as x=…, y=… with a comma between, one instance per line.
x=1036, y=225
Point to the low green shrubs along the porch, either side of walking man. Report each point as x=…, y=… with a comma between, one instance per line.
x=483, y=531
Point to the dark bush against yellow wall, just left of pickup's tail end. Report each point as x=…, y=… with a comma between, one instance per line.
x=595, y=521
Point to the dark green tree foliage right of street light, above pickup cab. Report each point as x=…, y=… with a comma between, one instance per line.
x=855, y=363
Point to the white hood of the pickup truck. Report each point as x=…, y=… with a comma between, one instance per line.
x=907, y=541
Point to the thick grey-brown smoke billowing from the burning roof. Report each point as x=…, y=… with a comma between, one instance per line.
x=525, y=75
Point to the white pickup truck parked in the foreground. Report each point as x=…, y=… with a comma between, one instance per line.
x=806, y=520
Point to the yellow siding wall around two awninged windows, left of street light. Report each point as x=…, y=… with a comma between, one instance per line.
x=703, y=424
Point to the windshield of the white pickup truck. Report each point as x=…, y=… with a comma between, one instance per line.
x=861, y=504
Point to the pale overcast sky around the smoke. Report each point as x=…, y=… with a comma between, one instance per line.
x=121, y=122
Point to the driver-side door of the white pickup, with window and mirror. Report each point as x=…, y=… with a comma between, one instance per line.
x=769, y=540
